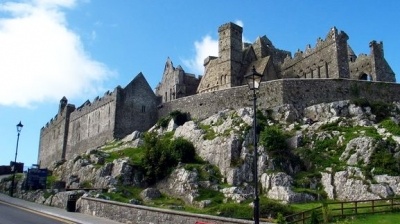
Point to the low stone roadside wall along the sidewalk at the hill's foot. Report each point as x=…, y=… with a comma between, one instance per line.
x=128, y=213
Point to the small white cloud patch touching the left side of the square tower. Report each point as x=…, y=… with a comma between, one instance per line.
x=204, y=48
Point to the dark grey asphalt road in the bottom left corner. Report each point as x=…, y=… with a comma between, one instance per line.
x=11, y=214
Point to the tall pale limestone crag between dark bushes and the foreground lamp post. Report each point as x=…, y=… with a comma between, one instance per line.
x=225, y=149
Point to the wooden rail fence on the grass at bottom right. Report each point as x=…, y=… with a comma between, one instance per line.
x=348, y=208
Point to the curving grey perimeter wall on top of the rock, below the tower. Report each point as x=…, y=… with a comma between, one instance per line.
x=299, y=92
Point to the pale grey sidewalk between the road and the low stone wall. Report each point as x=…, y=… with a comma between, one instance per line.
x=58, y=212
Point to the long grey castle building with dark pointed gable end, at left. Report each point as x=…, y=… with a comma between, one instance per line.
x=91, y=125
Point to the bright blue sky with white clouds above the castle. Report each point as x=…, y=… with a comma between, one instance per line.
x=82, y=48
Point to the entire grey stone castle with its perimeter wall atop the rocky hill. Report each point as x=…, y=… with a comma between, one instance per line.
x=328, y=72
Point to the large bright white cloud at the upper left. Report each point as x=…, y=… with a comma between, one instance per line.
x=41, y=59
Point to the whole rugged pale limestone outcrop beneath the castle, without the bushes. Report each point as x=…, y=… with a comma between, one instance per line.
x=225, y=140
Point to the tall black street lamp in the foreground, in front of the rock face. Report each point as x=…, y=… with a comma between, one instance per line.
x=253, y=81
